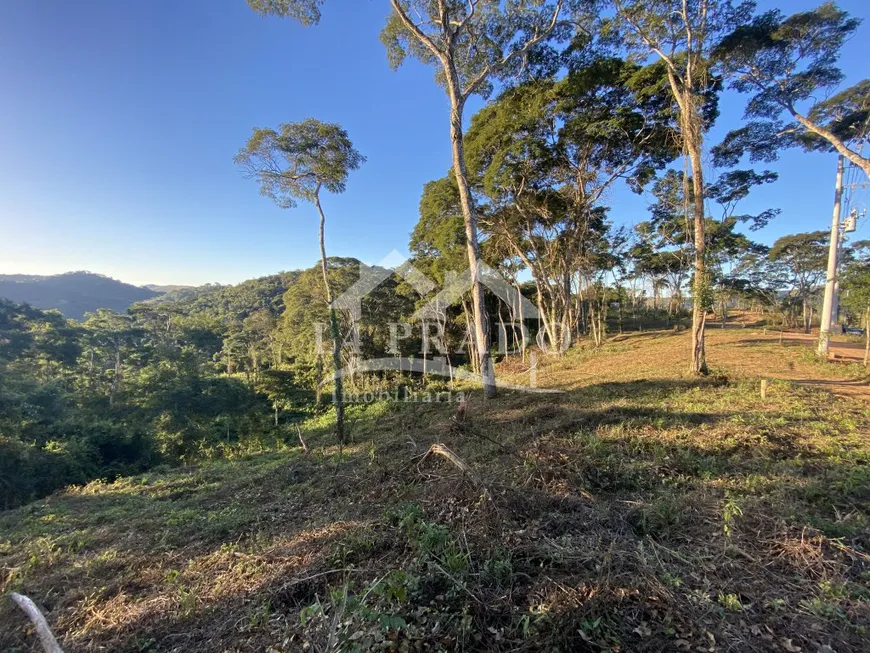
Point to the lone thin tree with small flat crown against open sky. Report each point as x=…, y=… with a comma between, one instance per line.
x=295, y=163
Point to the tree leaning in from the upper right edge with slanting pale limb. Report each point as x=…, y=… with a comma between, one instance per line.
x=789, y=66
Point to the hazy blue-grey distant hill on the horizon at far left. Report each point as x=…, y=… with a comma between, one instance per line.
x=73, y=293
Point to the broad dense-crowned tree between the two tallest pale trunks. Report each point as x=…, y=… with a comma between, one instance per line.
x=545, y=154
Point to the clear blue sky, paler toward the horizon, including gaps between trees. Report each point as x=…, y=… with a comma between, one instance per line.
x=119, y=122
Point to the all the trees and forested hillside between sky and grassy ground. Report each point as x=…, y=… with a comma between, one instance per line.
x=207, y=372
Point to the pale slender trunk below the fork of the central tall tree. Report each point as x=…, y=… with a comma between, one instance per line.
x=461, y=173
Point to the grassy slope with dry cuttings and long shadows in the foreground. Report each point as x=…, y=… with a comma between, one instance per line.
x=638, y=510
